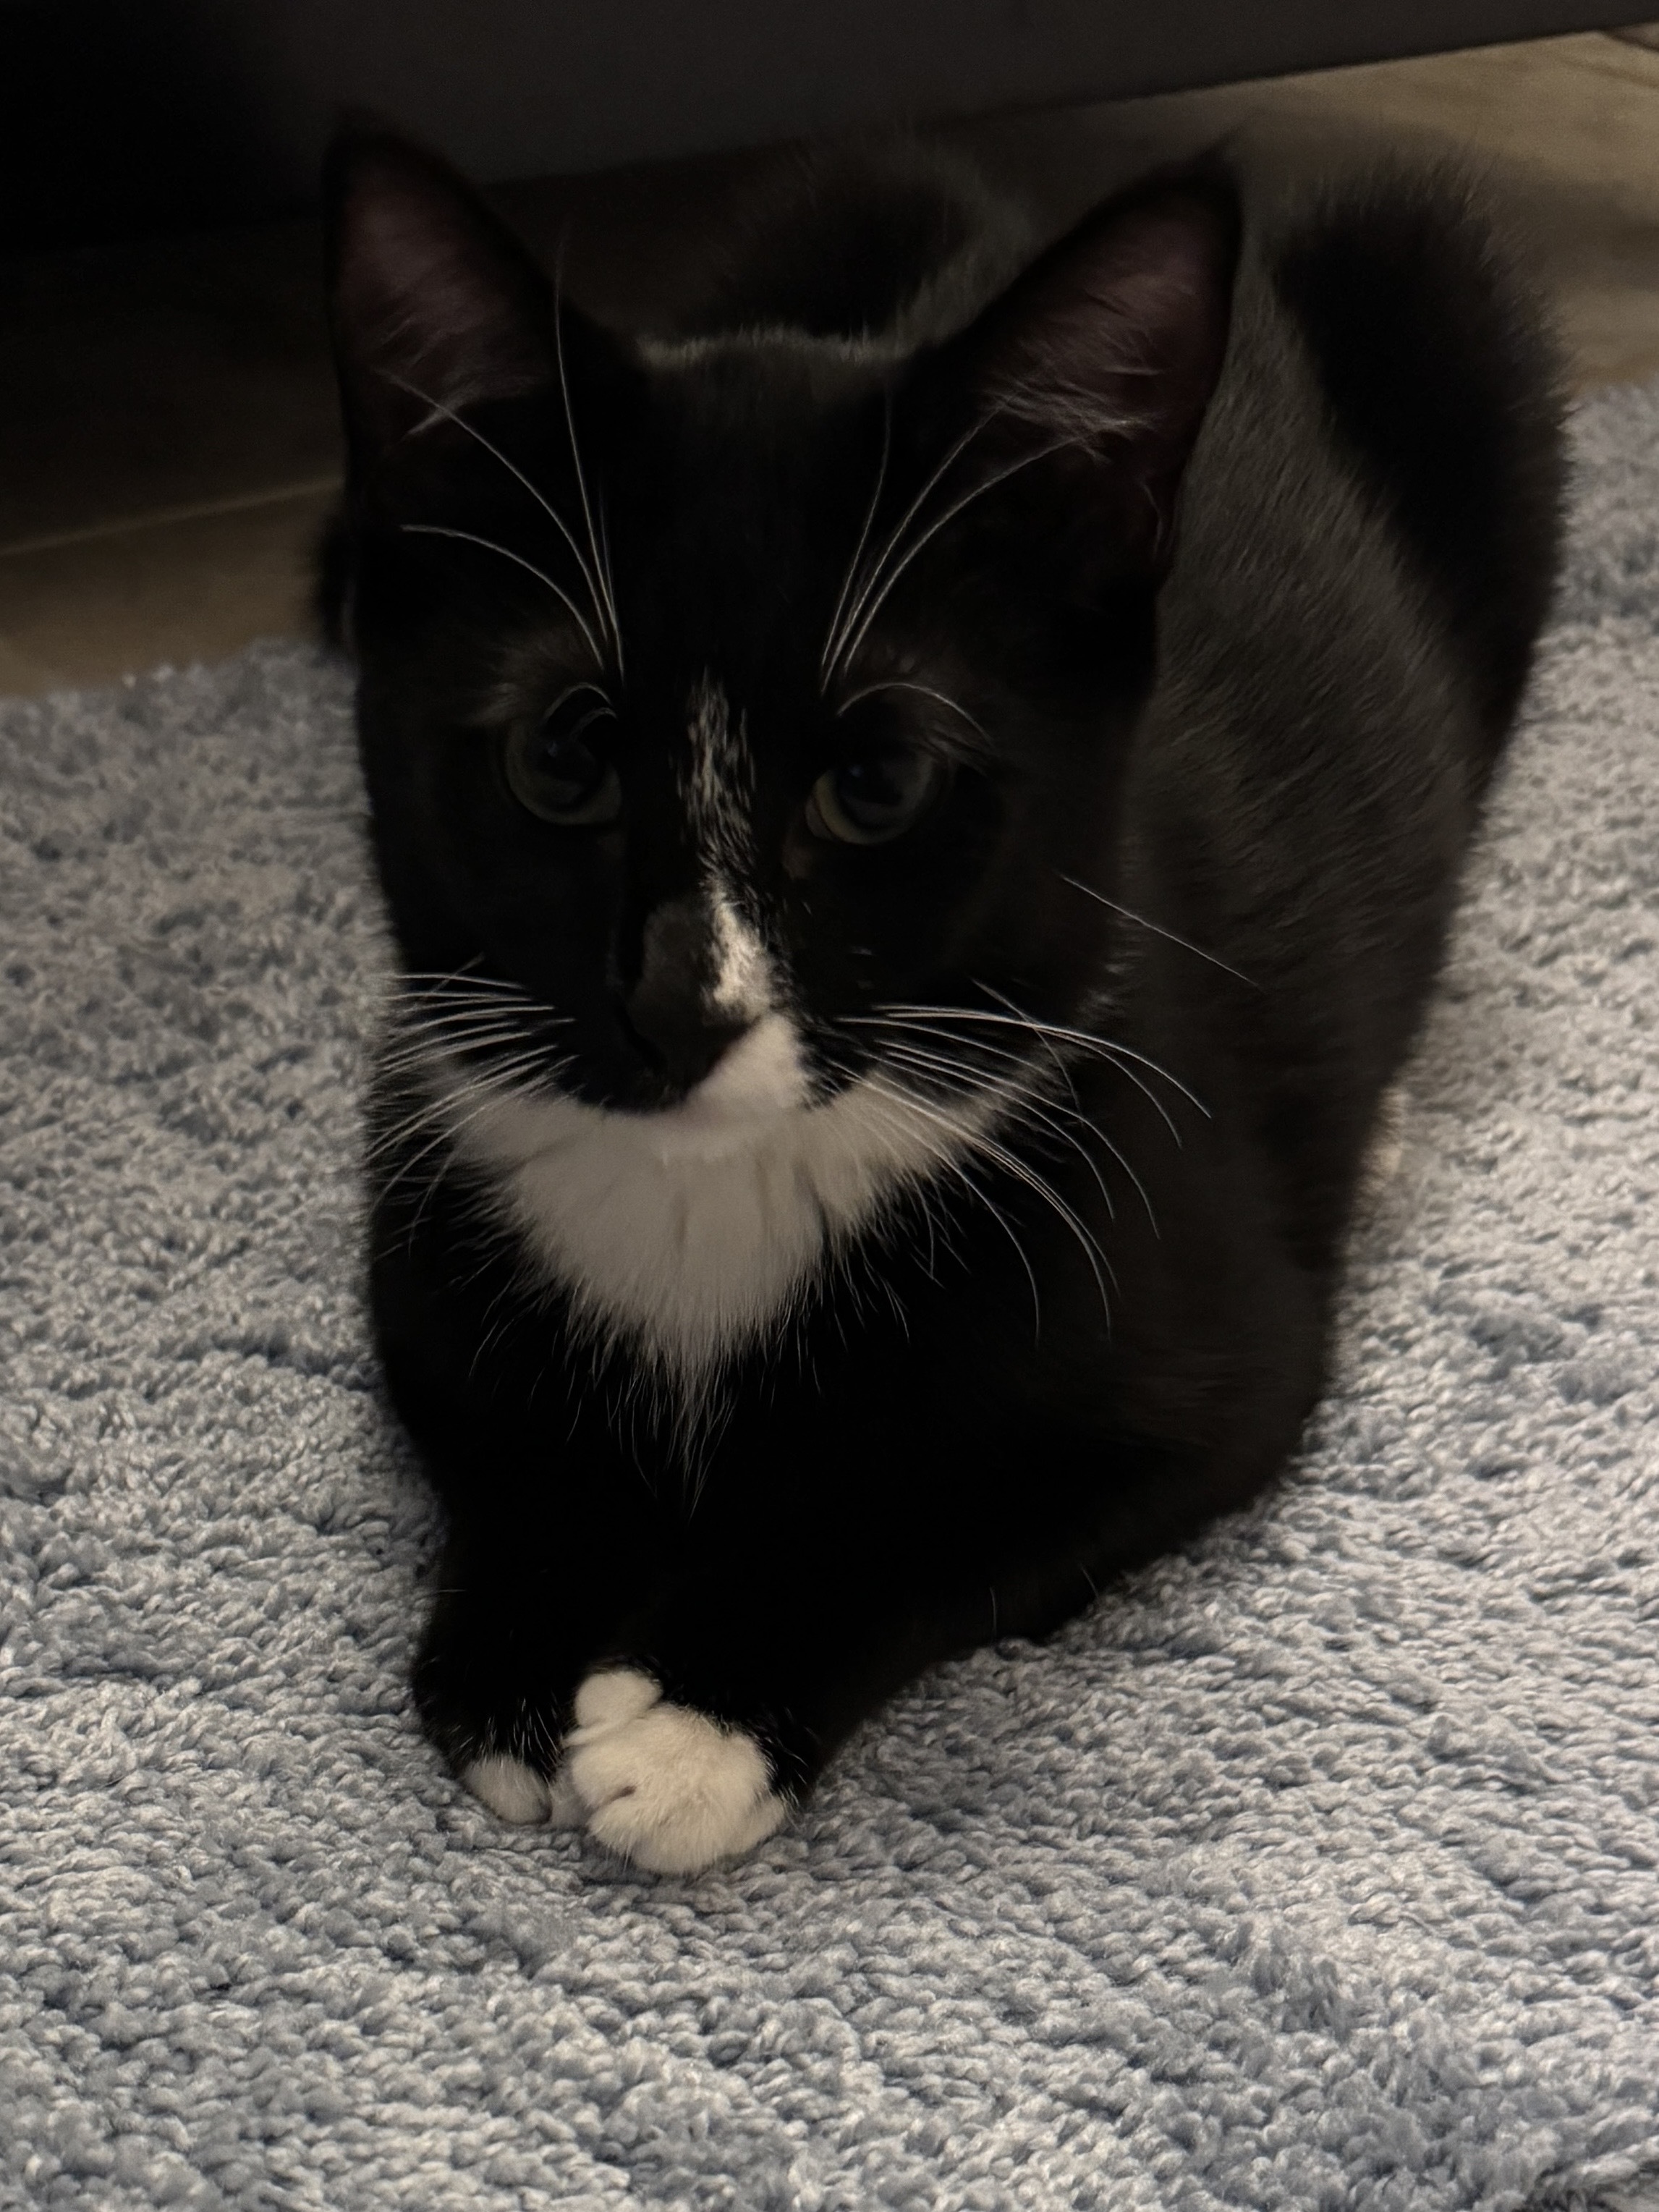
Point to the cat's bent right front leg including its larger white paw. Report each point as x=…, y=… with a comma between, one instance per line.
x=795, y=1614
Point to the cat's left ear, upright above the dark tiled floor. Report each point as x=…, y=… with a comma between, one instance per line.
x=435, y=302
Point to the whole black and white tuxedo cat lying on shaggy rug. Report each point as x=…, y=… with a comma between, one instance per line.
x=904, y=950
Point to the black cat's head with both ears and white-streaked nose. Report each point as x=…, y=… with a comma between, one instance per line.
x=722, y=700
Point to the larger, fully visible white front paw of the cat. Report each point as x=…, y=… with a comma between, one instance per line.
x=662, y=1784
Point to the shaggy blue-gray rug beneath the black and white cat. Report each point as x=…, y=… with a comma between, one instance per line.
x=1319, y=1870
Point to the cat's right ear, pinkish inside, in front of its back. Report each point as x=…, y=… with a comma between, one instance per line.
x=1098, y=364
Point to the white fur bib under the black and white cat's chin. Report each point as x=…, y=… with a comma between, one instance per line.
x=698, y=1231
